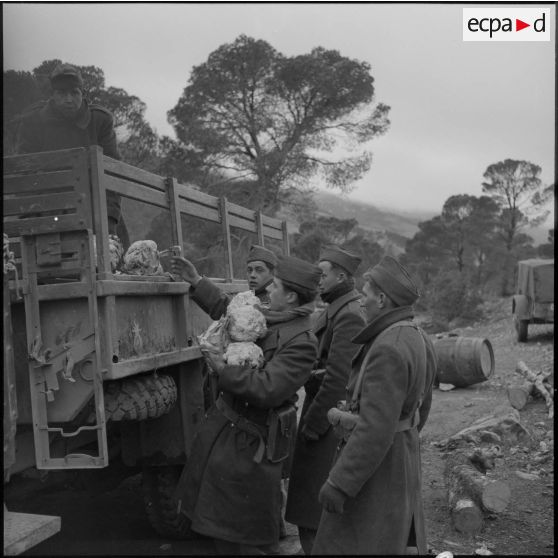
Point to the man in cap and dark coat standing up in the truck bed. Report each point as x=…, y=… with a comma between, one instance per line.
x=68, y=120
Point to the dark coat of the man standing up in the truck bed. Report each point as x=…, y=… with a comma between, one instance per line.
x=43, y=128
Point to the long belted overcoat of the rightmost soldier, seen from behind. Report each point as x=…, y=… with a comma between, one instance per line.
x=379, y=467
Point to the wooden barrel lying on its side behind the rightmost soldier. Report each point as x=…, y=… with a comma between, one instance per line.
x=463, y=361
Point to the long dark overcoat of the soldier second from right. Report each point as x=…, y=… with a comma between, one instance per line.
x=335, y=327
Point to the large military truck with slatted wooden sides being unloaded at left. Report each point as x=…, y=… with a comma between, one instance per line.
x=106, y=366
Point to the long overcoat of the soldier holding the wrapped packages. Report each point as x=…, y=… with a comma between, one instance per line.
x=224, y=492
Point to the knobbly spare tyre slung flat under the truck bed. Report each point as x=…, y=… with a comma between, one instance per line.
x=139, y=398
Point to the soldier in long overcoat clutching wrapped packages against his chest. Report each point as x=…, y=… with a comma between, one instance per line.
x=230, y=487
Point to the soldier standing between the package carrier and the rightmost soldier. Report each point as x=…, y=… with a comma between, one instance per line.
x=315, y=447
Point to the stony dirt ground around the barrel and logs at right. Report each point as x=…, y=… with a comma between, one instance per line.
x=526, y=526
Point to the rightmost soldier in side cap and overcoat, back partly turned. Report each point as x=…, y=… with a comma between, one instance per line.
x=372, y=497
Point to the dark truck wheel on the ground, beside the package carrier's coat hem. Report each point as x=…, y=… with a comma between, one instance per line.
x=159, y=484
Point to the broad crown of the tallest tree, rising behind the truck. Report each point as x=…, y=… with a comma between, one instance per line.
x=251, y=111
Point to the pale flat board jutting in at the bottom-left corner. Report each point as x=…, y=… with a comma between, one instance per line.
x=22, y=531
